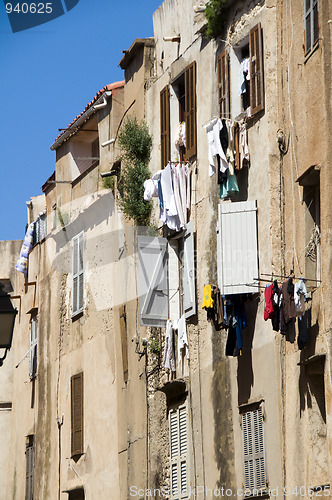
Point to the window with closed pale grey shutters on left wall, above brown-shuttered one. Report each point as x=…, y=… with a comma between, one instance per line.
x=78, y=273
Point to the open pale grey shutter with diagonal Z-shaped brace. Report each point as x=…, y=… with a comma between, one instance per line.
x=152, y=280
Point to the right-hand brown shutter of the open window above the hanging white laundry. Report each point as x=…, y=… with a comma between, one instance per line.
x=190, y=109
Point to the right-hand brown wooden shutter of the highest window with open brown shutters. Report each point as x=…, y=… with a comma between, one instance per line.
x=256, y=69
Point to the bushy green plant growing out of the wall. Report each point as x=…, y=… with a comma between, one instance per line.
x=135, y=142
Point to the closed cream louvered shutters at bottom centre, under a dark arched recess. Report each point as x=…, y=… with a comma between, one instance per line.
x=178, y=425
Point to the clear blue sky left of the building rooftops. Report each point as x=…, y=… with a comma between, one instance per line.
x=47, y=76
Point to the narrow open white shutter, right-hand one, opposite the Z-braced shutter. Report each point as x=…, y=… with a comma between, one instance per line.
x=188, y=276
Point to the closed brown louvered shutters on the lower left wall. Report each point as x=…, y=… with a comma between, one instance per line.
x=77, y=414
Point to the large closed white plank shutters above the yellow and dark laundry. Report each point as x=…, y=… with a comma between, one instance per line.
x=237, y=247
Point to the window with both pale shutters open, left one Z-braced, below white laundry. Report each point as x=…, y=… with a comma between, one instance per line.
x=166, y=278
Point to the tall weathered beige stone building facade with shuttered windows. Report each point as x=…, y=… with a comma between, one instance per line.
x=248, y=418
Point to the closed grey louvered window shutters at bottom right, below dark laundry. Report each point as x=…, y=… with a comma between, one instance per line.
x=253, y=451
